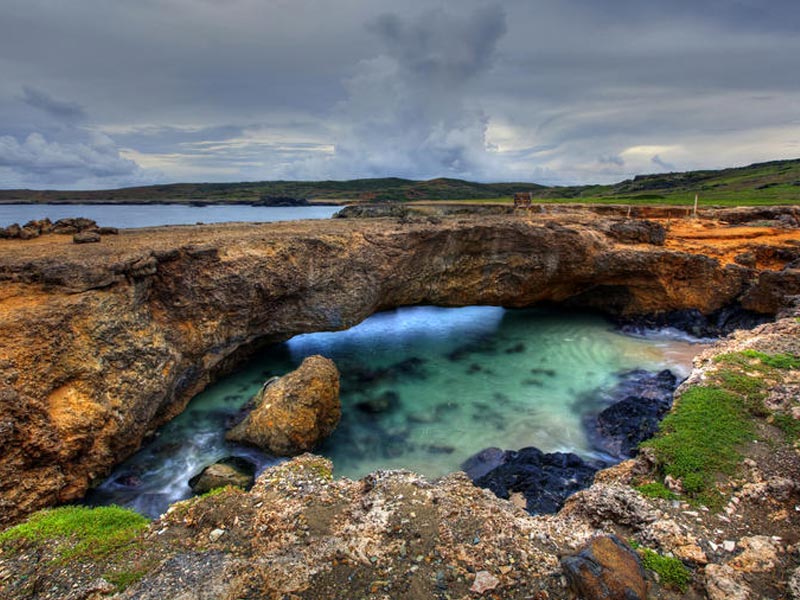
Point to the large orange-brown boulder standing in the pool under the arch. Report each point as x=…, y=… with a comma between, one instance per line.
x=296, y=412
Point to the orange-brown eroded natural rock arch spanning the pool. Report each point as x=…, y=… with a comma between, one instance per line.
x=102, y=343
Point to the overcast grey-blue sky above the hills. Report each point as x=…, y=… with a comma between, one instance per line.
x=108, y=93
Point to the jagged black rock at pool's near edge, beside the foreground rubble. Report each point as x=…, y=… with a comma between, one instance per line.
x=546, y=480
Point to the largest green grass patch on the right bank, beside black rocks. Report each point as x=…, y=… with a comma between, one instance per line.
x=699, y=439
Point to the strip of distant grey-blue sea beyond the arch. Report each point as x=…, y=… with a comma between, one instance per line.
x=138, y=215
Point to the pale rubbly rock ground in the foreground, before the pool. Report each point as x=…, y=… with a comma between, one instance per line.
x=300, y=533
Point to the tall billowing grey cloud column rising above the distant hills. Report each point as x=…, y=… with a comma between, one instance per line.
x=407, y=111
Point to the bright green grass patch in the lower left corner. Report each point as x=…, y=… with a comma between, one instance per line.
x=89, y=532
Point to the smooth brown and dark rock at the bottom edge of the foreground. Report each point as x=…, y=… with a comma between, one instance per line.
x=606, y=569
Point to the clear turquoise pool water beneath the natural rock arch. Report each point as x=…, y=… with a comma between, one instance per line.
x=422, y=388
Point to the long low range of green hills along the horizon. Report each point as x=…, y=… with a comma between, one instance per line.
x=776, y=182
